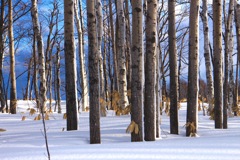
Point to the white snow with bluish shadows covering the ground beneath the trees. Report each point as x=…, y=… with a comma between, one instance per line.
x=24, y=140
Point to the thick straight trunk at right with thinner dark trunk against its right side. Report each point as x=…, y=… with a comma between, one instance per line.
x=217, y=51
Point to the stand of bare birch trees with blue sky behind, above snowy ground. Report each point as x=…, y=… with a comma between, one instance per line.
x=145, y=59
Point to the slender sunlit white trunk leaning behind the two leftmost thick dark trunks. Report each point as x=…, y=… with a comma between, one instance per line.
x=83, y=72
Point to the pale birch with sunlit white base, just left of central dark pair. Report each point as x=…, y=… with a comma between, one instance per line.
x=122, y=72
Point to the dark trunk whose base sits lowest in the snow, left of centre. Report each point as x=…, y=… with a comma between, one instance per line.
x=93, y=74
